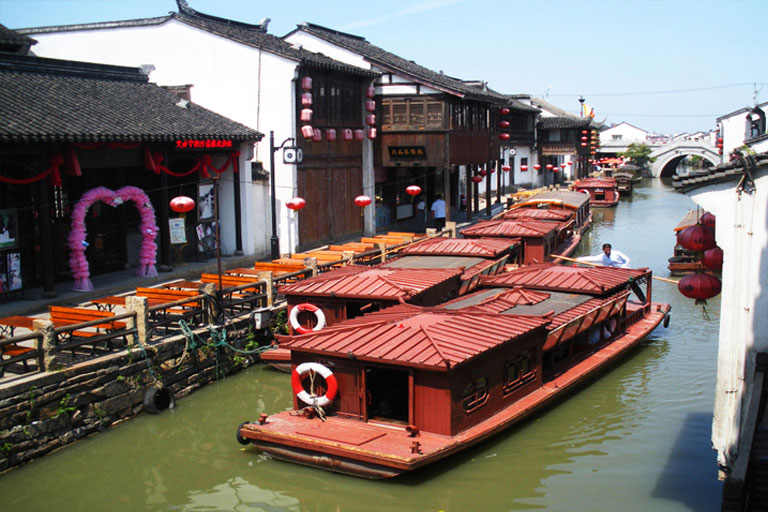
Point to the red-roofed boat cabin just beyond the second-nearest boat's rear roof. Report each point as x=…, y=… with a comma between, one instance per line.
x=539, y=238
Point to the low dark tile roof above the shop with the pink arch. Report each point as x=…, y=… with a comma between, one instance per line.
x=51, y=100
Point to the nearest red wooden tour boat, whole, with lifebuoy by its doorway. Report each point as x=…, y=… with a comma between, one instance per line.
x=389, y=392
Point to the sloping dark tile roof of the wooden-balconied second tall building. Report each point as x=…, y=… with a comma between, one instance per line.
x=391, y=62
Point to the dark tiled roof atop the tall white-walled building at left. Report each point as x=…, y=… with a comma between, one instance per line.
x=247, y=34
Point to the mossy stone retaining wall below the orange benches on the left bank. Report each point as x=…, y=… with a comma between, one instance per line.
x=45, y=411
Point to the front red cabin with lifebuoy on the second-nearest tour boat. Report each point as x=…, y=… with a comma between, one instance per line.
x=347, y=292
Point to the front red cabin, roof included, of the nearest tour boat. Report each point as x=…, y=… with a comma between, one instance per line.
x=439, y=371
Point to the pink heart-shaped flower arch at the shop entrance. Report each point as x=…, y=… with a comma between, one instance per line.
x=77, y=243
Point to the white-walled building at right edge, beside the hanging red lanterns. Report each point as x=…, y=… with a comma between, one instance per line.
x=737, y=194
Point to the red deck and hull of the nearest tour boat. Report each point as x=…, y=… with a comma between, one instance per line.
x=383, y=450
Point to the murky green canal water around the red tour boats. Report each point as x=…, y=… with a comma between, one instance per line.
x=637, y=439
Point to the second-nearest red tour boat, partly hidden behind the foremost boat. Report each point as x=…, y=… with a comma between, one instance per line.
x=424, y=273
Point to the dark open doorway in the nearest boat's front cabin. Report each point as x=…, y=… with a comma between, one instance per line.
x=387, y=394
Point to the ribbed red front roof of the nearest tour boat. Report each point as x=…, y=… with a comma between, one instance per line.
x=421, y=338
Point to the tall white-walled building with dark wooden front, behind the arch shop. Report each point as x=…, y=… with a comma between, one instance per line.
x=242, y=72
